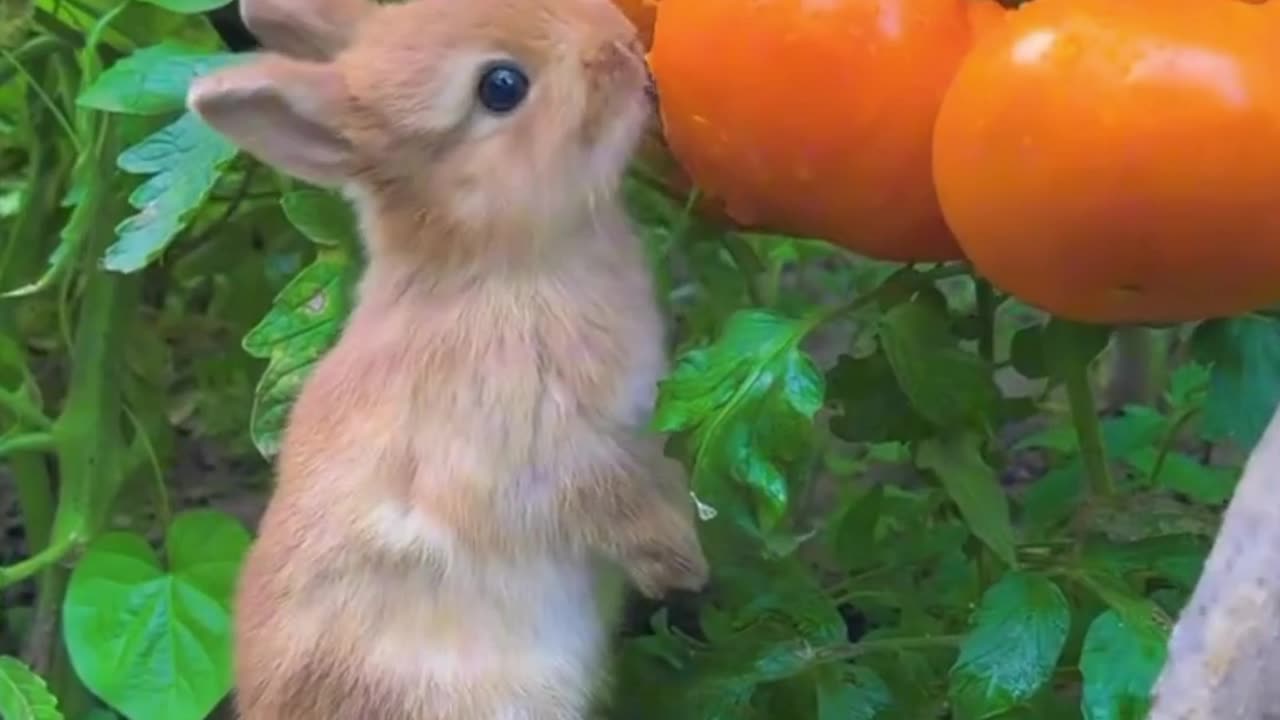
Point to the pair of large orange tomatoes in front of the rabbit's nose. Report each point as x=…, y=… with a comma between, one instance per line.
x=1107, y=161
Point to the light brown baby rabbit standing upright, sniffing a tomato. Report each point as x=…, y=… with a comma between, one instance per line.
x=467, y=480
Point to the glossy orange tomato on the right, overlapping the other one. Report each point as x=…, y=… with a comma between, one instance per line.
x=1119, y=162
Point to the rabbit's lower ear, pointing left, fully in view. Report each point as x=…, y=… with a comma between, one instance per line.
x=286, y=113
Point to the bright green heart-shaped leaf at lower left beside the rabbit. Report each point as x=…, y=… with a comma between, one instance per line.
x=156, y=642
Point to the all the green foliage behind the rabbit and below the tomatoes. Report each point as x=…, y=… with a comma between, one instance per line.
x=913, y=503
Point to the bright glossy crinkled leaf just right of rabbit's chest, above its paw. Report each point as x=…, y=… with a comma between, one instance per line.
x=748, y=403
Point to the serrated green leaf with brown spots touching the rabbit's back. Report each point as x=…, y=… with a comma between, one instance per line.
x=303, y=325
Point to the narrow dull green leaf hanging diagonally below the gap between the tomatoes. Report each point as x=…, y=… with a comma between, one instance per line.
x=973, y=486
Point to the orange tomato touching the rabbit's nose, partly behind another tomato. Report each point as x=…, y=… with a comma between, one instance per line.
x=815, y=119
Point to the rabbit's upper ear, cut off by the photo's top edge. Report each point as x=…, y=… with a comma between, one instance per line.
x=310, y=30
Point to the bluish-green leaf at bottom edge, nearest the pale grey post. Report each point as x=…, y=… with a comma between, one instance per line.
x=1119, y=664
